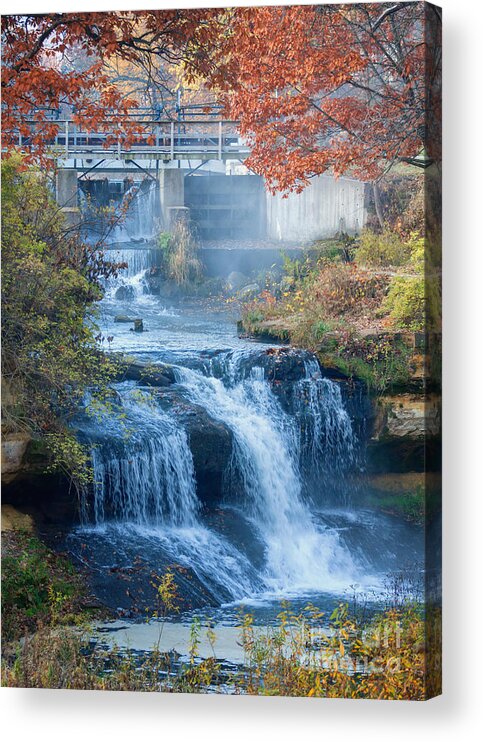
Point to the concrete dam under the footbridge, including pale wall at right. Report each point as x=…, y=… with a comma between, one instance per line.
x=224, y=207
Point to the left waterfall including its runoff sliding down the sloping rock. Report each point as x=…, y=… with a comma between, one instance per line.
x=144, y=490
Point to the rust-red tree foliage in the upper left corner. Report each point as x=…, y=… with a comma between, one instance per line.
x=40, y=72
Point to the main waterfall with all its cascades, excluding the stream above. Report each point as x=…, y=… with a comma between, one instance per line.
x=144, y=476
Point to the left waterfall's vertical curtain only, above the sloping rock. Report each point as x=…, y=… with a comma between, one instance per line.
x=143, y=467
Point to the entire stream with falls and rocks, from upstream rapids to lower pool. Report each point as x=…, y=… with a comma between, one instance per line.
x=276, y=519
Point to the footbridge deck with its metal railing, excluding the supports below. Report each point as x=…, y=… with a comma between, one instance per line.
x=160, y=140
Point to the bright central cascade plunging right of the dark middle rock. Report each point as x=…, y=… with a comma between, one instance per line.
x=300, y=554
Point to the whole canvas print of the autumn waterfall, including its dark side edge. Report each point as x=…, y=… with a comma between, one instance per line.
x=221, y=350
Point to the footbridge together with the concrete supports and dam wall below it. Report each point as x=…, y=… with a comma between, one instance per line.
x=168, y=152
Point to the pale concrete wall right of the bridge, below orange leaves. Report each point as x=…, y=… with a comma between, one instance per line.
x=325, y=207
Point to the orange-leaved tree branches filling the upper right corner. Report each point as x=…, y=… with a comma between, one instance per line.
x=344, y=88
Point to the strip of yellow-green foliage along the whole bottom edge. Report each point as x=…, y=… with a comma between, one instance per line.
x=302, y=655
